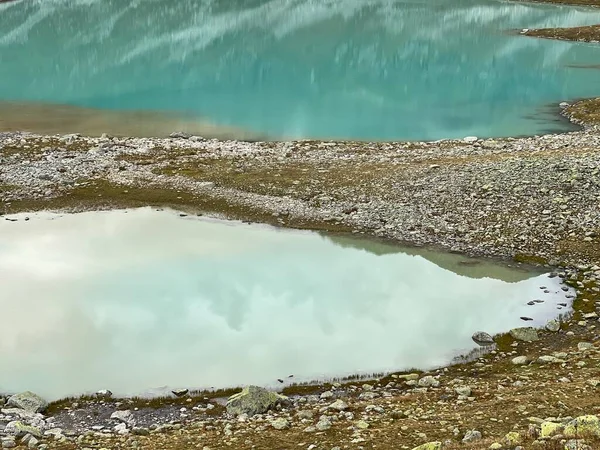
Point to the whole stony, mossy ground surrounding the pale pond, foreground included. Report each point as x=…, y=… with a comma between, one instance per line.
x=536, y=200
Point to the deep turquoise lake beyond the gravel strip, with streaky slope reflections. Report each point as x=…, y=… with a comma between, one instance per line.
x=348, y=69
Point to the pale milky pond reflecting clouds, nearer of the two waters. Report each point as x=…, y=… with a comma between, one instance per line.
x=135, y=301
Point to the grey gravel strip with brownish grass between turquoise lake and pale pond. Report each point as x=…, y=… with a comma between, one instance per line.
x=536, y=198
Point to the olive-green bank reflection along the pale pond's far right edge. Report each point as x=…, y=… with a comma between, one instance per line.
x=456, y=263
